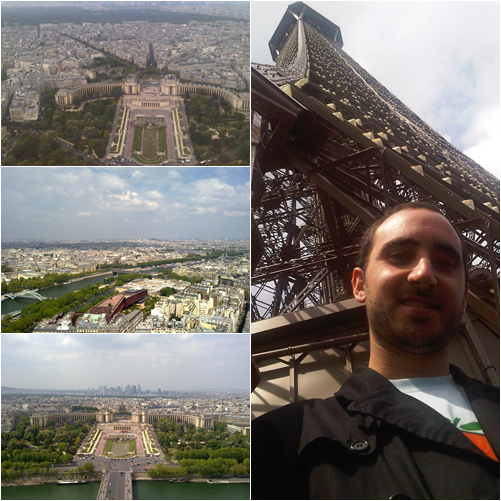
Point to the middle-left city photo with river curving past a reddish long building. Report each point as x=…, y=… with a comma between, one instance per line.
x=123, y=249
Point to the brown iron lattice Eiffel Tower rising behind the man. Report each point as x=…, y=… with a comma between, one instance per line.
x=332, y=149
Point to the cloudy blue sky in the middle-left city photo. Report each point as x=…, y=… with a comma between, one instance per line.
x=108, y=203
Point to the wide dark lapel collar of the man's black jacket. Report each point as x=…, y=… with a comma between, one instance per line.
x=367, y=399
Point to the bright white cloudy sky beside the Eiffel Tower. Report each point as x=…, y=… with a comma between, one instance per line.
x=439, y=58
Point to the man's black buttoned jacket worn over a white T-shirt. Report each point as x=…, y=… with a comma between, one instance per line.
x=371, y=441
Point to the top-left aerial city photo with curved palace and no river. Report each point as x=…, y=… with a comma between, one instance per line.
x=125, y=83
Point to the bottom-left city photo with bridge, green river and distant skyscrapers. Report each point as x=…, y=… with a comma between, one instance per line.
x=96, y=417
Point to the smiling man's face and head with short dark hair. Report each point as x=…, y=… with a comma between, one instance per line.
x=414, y=285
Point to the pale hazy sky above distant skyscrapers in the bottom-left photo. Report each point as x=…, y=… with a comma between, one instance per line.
x=168, y=361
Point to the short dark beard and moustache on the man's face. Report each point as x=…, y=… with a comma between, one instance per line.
x=412, y=336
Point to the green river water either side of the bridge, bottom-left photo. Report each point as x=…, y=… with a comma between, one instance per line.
x=141, y=490
